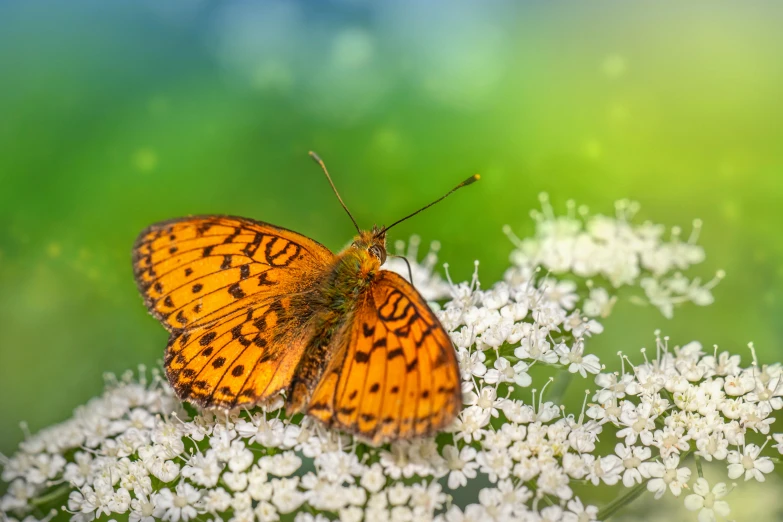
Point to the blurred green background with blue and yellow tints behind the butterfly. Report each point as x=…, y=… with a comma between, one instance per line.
x=117, y=114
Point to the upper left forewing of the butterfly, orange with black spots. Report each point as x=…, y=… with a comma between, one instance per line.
x=194, y=271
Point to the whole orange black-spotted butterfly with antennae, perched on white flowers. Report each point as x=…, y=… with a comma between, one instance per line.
x=254, y=309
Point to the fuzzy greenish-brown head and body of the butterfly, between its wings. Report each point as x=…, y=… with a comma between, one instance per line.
x=343, y=288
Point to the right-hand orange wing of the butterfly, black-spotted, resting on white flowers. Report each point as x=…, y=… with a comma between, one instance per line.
x=396, y=375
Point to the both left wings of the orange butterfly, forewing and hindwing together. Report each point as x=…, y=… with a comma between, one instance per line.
x=230, y=290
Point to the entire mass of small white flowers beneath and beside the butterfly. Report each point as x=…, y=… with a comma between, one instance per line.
x=137, y=452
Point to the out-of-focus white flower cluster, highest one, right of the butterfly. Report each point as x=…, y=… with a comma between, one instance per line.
x=616, y=252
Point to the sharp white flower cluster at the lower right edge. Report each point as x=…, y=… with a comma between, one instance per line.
x=683, y=403
